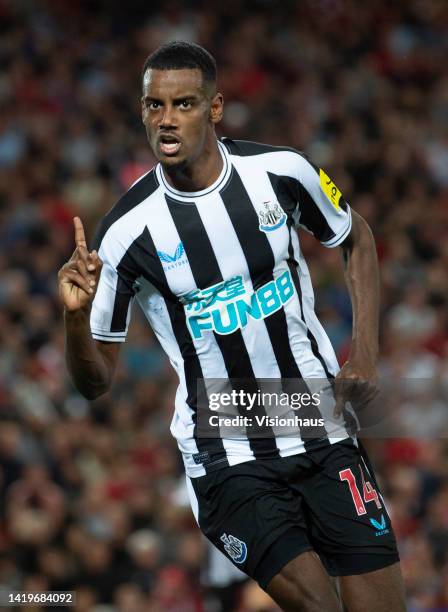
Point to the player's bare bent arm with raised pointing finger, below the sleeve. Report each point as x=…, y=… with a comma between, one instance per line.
x=91, y=363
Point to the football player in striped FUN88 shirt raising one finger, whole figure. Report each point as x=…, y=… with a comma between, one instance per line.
x=206, y=244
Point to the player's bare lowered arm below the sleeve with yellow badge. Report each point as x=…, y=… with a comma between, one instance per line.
x=358, y=377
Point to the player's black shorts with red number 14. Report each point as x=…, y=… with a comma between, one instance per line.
x=264, y=513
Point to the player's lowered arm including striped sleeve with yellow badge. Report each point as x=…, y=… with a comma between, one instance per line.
x=323, y=211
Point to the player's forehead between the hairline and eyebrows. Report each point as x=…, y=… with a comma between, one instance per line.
x=172, y=83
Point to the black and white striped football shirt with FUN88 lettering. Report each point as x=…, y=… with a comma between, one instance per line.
x=220, y=276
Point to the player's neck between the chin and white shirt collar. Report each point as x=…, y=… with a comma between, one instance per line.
x=199, y=174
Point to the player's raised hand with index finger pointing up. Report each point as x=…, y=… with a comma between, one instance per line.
x=78, y=278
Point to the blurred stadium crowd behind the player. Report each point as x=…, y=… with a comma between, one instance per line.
x=92, y=493
